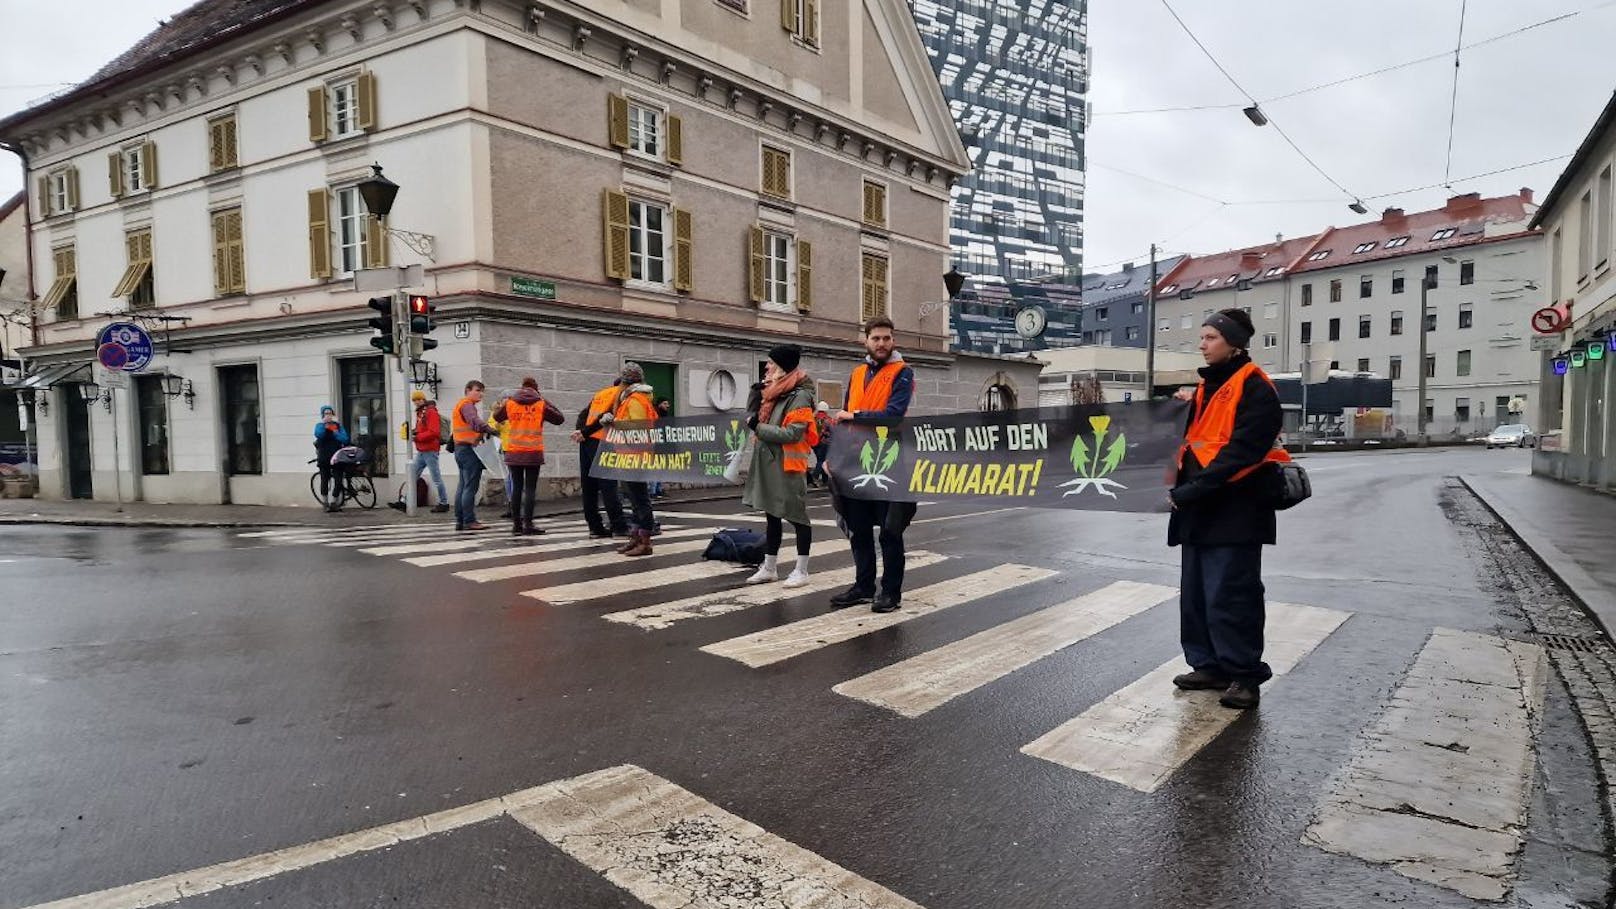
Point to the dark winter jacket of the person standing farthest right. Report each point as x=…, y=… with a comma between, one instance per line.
x=1213, y=510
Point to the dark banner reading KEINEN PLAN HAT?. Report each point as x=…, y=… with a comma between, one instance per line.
x=676, y=450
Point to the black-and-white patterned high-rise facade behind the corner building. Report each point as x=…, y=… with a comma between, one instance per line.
x=1017, y=78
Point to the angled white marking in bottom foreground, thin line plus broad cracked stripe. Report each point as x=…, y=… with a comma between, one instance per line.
x=665, y=845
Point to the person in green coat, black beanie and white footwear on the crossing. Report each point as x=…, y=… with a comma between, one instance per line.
x=778, y=483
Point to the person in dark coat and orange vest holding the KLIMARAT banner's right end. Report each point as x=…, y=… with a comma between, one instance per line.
x=1224, y=515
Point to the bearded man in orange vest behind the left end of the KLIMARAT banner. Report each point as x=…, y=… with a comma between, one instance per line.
x=878, y=394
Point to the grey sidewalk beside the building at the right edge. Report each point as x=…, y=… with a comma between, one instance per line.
x=1568, y=528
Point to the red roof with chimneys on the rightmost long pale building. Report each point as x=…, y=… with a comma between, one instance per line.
x=1467, y=216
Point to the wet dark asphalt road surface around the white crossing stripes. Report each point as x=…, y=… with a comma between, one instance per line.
x=172, y=700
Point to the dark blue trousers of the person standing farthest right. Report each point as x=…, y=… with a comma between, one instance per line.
x=1221, y=612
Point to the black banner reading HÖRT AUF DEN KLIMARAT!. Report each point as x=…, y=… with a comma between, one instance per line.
x=1095, y=457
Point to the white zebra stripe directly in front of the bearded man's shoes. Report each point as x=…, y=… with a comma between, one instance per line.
x=786, y=641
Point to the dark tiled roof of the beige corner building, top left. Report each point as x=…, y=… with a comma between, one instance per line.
x=195, y=28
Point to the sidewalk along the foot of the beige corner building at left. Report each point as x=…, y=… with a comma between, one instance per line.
x=148, y=515
